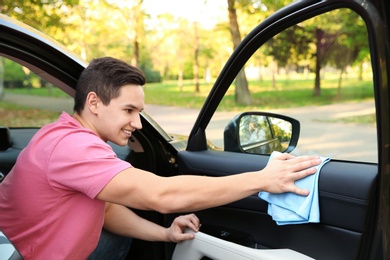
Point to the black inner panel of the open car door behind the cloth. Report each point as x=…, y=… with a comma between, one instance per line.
x=346, y=196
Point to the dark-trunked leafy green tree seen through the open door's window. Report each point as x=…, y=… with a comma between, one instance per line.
x=337, y=38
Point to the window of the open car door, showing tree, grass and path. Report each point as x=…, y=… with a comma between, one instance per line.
x=318, y=72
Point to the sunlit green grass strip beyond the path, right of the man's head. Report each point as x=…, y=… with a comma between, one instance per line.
x=288, y=93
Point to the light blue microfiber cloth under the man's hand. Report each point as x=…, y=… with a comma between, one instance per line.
x=290, y=208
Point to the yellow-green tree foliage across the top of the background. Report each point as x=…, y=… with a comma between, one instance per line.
x=177, y=48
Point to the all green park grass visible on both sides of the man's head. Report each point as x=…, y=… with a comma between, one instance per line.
x=286, y=94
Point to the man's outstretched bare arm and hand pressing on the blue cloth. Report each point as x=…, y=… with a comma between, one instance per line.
x=139, y=189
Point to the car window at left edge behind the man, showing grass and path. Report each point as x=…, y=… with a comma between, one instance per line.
x=27, y=100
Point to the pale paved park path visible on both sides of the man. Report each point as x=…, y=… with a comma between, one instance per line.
x=318, y=133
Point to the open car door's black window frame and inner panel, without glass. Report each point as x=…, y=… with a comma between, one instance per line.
x=349, y=192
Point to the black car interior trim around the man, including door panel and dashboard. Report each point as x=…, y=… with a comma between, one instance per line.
x=347, y=199
